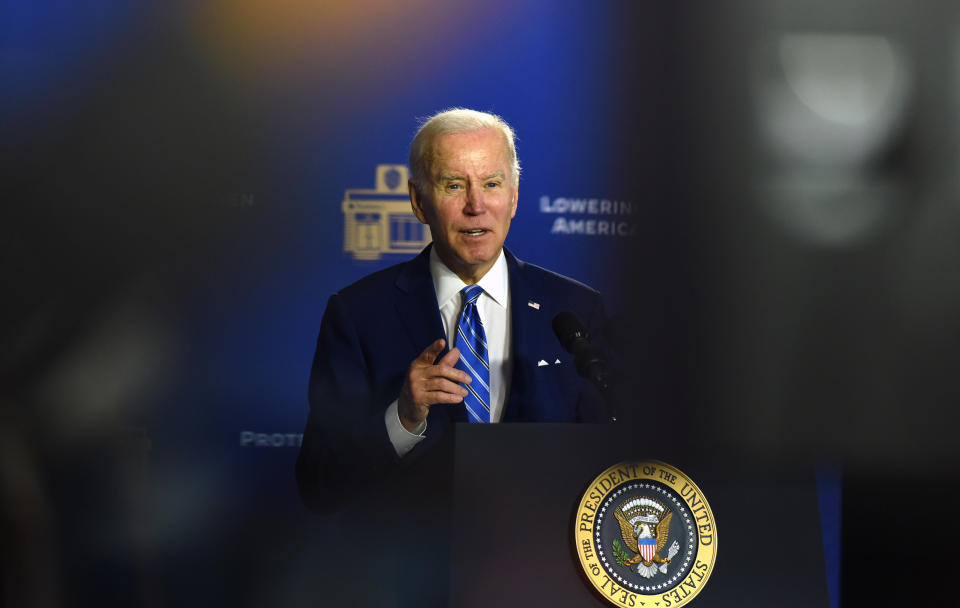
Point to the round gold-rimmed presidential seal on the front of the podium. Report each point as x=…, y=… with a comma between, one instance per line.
x=645, y=535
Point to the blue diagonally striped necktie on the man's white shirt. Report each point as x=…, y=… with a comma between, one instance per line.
x=472, y=342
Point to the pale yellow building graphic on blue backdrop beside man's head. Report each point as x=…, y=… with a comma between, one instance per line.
x=380, y=221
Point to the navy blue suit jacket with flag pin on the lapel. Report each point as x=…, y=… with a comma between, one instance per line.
x=373, y=330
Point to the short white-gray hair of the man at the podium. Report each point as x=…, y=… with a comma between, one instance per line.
x=456, y=120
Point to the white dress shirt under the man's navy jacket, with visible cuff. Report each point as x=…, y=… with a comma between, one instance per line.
x=494, y=309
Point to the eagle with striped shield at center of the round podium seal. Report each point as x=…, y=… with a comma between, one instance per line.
x=644, y=527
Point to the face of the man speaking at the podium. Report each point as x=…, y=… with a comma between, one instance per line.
x=469, y=200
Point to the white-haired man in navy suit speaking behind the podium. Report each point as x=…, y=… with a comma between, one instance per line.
x=390, y=376
